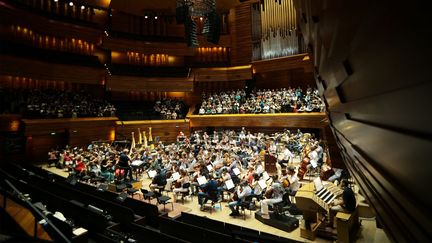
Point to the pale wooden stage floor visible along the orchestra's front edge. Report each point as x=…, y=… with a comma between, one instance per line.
x=367, y=233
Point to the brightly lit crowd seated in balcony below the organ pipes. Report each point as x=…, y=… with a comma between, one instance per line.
x=262, y=101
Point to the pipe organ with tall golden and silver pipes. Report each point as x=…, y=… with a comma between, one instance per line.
x=275, y=29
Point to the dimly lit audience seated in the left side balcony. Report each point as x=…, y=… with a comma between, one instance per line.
x=54, y=104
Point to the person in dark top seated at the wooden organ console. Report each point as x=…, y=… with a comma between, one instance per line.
x=347, y=203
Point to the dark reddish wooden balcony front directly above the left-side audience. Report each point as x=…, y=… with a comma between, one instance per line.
x=15, y=66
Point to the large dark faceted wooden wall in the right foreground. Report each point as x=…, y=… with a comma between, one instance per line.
x=376, y=82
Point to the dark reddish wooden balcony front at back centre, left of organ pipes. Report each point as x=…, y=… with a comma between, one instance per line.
x=135, y=83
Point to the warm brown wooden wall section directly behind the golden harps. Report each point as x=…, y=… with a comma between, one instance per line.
x=167, y=130
